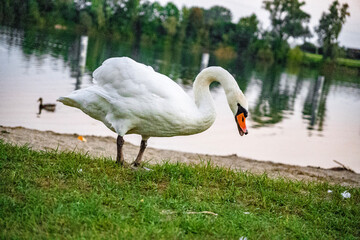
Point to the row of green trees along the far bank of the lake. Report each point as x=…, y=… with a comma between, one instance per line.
x=209, y=29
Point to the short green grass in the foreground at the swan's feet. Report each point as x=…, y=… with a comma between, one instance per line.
x=65, y=195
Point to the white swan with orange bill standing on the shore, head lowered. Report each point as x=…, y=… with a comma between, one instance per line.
x=130, y=97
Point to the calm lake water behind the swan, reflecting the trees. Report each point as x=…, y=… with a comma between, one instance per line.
x=294, y=117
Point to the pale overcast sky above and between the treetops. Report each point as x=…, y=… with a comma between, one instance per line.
x=349, y=36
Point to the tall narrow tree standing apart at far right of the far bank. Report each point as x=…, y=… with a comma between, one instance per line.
x=329, y=28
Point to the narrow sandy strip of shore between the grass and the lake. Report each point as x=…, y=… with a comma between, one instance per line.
x=105, y=146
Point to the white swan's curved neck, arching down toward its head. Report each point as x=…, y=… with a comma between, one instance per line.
x=203, y=98
